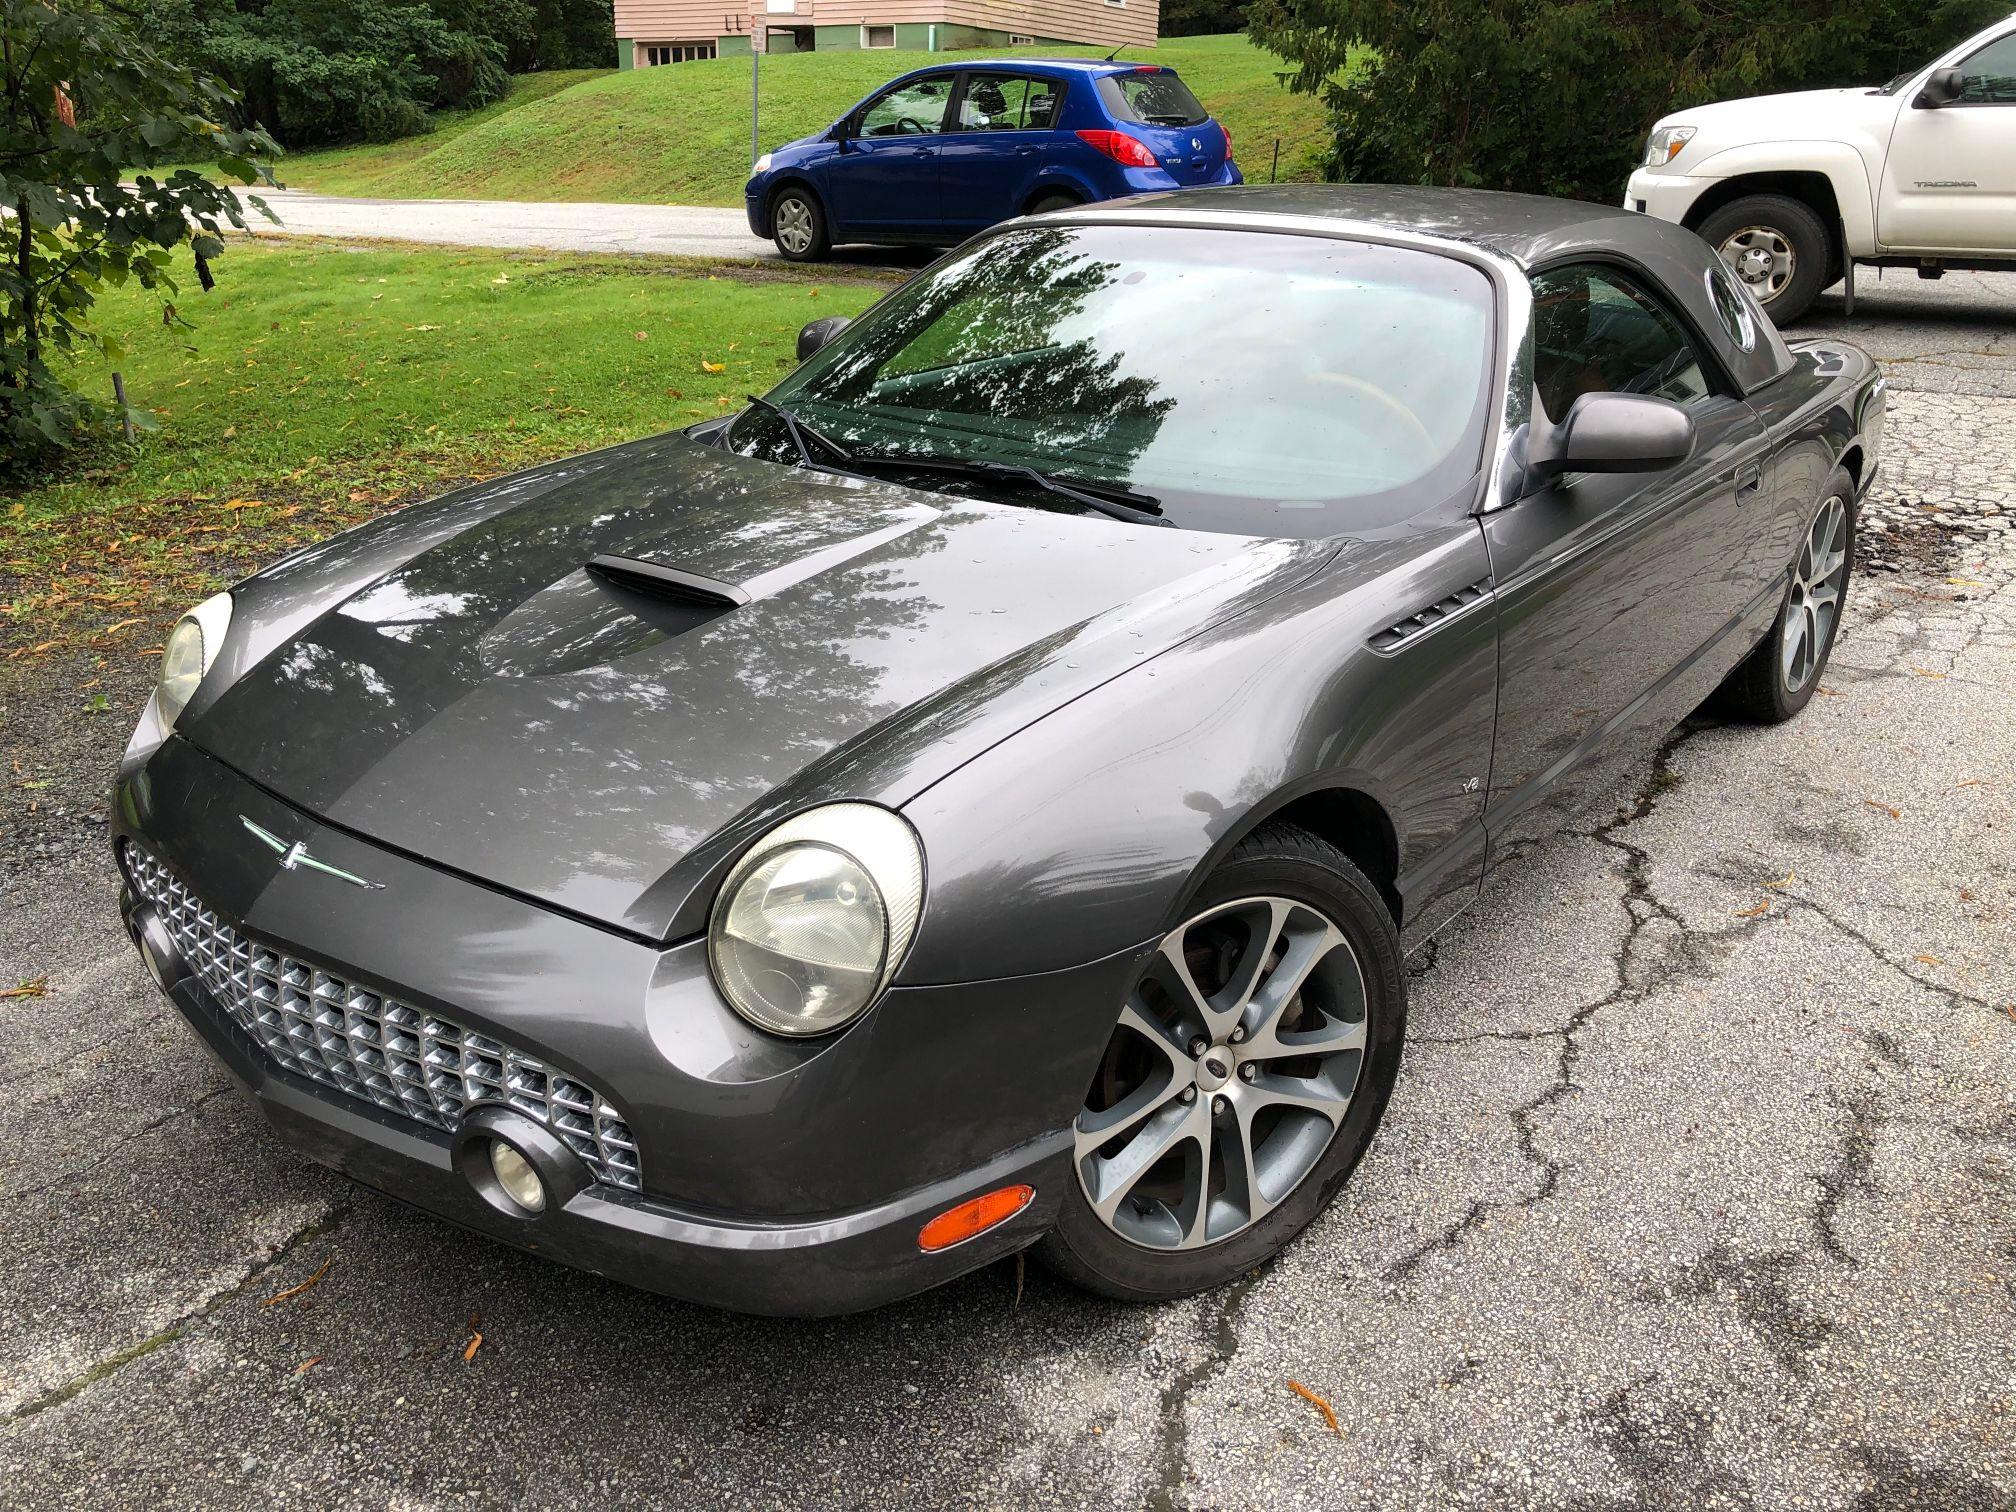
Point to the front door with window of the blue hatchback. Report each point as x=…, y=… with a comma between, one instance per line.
x=884, y=180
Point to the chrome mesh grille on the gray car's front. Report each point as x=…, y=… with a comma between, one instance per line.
x=374, y=1047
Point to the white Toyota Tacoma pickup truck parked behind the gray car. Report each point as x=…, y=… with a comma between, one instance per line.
x=1795, y=191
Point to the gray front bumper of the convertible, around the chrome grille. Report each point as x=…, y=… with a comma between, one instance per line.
x=775, y=1178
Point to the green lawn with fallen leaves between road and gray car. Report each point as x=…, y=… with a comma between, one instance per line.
x=326, y=384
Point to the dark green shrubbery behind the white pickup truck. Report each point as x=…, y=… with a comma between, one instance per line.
x=1557, y=96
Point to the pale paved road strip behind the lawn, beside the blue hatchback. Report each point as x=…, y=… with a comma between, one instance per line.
x=662, y=231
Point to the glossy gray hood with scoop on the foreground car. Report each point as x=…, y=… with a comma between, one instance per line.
x=497, y=707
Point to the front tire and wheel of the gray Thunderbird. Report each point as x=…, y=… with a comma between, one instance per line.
x=1245, y=1078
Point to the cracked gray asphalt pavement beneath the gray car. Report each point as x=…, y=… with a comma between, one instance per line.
x=1696, y=1188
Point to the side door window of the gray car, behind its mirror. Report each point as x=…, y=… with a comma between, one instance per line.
x=1596, y=332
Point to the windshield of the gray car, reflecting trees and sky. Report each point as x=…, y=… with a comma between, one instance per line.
x=1245, y=382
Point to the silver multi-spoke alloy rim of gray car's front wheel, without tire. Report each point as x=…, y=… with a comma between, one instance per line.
x=1233, y=1065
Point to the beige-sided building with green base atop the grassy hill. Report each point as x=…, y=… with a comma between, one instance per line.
x=654, y=33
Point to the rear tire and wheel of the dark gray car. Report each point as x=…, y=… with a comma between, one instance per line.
x=1779, y=676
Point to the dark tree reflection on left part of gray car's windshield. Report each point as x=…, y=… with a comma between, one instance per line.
x=987, y=342
